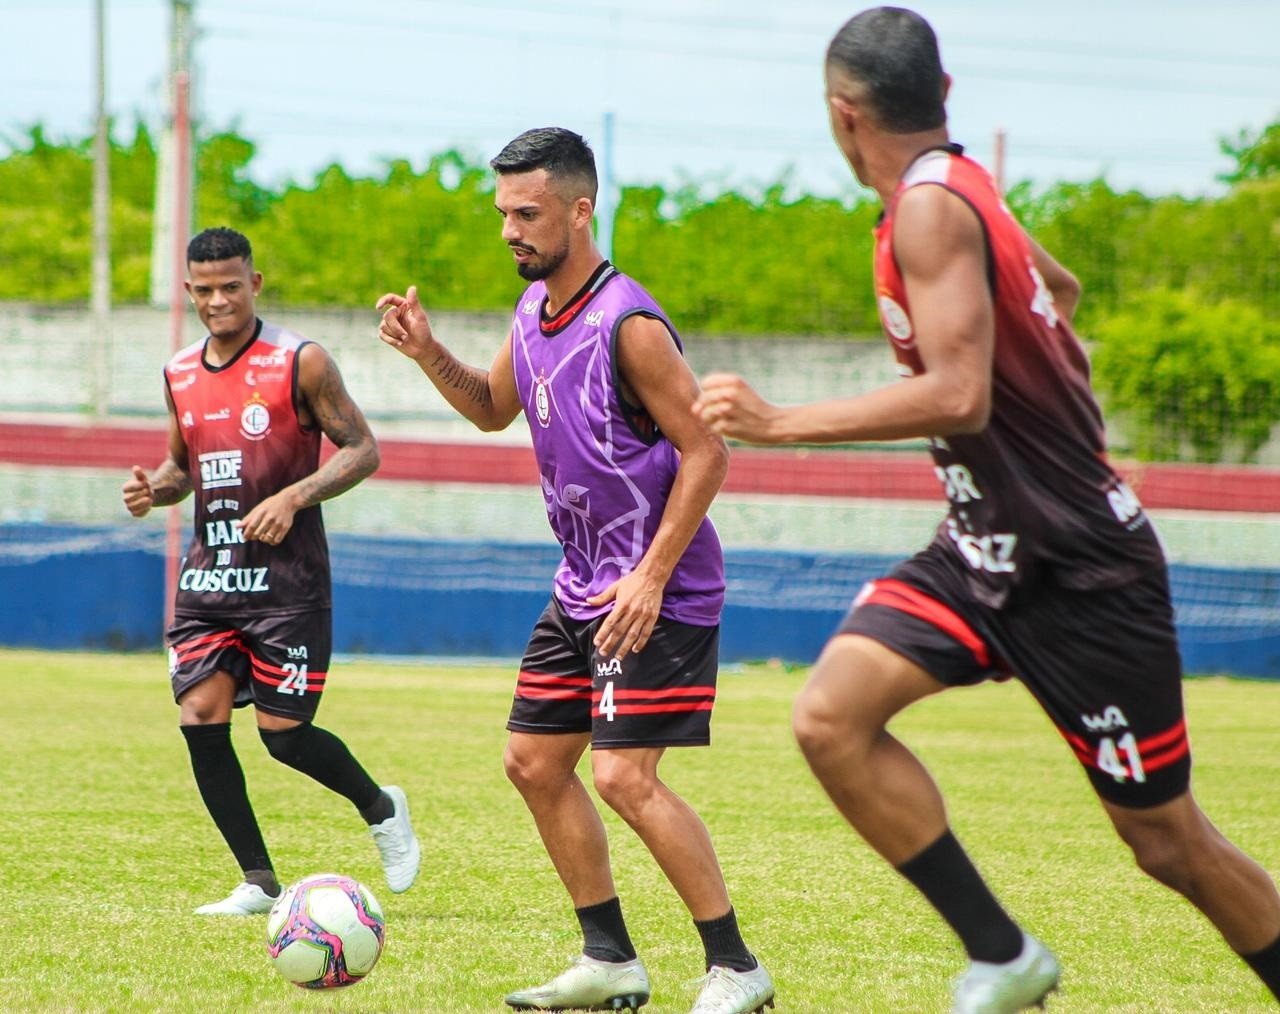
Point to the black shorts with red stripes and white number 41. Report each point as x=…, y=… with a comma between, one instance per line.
x=1104, y=664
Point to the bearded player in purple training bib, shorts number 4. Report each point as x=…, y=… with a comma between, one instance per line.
x=624, y=657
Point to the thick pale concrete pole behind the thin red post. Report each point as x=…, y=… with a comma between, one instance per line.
x=172, y=216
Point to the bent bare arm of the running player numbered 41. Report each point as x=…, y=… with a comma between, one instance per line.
x=941, y=253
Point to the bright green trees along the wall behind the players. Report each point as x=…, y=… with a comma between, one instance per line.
x=1182, y=295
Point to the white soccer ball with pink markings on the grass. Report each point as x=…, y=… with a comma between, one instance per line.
x=324, y=931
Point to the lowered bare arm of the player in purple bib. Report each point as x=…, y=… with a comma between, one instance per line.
x=656, y=377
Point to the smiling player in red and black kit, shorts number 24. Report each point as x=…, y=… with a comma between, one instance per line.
x=248, y=406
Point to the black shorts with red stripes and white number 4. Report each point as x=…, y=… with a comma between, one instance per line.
x=660, y=697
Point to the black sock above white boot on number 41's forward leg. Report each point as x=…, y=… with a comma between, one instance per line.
x=945, y=875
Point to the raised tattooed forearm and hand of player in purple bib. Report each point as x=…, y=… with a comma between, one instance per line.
x=487, y=398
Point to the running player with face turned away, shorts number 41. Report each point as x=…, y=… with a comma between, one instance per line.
x=1046, y=567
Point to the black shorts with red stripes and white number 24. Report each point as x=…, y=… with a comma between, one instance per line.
x=280, y=663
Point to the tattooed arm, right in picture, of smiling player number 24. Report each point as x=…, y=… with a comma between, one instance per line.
x=324, y=403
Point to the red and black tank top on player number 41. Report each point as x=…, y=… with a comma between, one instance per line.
x=1032, y=497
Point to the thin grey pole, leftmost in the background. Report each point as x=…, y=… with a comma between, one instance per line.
x=100, y=285
